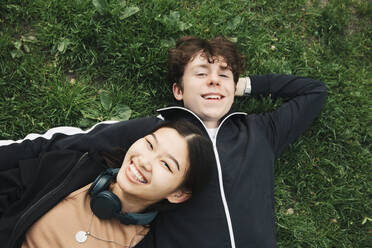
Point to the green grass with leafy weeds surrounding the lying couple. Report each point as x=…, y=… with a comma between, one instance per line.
x=60, y=60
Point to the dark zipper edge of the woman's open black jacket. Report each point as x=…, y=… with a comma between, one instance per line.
x=13, y=238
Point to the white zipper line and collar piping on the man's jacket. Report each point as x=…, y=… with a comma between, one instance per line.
x=219, y=170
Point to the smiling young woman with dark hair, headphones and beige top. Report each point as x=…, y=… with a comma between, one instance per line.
x=49, y=204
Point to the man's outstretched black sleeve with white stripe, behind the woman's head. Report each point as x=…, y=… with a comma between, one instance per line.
x=103, y=137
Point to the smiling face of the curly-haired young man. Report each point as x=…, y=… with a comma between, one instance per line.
x=207, y=89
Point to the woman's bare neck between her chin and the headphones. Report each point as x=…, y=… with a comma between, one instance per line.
x=129, y=203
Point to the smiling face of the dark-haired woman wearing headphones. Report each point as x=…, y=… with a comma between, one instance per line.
x=154, y=168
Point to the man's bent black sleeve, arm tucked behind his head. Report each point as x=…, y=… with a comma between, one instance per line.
x=304, y=98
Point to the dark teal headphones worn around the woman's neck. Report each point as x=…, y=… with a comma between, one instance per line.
x=107, y=205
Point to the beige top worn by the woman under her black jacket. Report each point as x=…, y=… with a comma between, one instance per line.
x=59, y=226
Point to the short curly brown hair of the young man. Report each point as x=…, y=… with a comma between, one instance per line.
x=188, y=47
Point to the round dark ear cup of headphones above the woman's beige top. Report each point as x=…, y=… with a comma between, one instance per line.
x=105, y=205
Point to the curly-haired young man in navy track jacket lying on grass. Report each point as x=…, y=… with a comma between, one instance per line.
x=237, y=208
